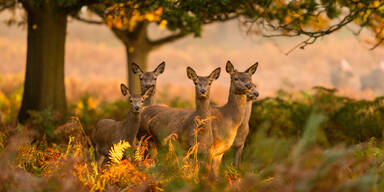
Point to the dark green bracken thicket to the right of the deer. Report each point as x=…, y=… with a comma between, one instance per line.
x=347, y=120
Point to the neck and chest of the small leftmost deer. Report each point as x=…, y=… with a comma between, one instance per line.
x=131, y=125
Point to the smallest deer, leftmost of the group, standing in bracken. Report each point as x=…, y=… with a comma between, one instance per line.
x=108, y=131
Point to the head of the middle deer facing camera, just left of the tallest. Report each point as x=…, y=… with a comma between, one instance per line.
x=203, y=83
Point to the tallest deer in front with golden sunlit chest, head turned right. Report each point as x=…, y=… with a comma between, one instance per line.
x=229, y=117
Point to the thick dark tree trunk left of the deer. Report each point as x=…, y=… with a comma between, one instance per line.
x=44, y=76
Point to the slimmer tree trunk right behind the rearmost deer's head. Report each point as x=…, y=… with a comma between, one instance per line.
x=139, y=55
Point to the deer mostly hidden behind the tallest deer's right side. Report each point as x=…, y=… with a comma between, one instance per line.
x=243, y=130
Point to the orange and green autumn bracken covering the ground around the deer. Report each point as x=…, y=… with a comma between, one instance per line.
x=304, y=141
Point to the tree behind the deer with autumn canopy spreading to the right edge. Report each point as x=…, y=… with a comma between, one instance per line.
x=129, y=21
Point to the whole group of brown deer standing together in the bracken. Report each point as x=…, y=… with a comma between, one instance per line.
x=220, y=127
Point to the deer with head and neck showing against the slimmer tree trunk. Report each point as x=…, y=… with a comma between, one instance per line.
x=148, y=80
